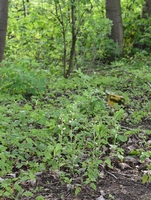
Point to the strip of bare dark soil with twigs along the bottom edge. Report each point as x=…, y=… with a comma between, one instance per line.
x=119, y=186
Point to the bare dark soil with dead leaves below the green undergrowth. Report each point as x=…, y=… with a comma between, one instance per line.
x=122, y=182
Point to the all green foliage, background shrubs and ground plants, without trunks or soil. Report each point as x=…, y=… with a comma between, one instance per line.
x=66, y=125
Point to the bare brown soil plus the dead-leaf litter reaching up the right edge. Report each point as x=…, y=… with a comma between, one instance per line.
x=123, y=182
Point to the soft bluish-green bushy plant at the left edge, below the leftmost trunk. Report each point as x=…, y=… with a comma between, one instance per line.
x=20, y=80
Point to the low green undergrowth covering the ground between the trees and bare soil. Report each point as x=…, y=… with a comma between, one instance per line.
x=66, y=125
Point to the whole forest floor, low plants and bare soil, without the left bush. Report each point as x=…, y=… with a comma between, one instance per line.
x=82, y=98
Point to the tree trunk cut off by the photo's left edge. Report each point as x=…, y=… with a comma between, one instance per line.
x=3, y=25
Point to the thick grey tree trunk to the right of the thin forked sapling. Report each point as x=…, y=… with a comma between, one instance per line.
x=113, y=12
